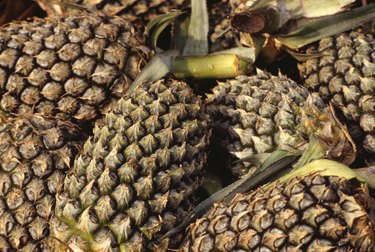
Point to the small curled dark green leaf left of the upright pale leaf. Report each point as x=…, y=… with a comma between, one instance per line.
x=157, y=25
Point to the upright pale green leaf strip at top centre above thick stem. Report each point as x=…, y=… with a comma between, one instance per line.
x=197, y=42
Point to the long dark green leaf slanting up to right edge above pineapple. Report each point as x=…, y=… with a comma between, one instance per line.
x=326, y=26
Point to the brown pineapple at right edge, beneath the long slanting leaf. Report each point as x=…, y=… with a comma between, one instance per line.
x=344, y=75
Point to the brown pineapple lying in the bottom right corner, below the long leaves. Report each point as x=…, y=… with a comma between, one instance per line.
x=310, y=212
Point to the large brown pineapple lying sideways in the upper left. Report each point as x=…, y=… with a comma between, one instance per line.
x=71, y=67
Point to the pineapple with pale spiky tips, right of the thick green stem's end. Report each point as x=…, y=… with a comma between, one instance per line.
x=254, y=115
